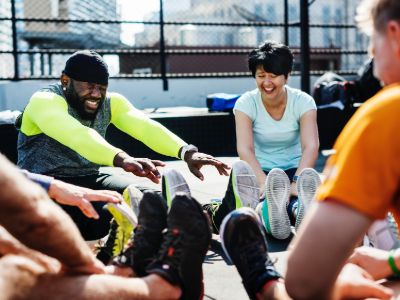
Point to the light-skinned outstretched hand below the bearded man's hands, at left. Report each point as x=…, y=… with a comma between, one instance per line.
x=68, y=194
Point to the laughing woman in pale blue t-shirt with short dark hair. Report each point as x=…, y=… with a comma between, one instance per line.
x=276, y=127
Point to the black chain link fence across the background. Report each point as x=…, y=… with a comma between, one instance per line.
x=176, y=38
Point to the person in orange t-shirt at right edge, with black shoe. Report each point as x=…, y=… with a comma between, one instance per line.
x=361, y=186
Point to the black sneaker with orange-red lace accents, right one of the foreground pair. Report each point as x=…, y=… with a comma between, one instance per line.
x=186, y=241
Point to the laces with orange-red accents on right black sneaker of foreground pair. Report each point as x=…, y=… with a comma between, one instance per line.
x=171, y=248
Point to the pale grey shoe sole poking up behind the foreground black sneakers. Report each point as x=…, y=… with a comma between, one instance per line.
x=173, y=182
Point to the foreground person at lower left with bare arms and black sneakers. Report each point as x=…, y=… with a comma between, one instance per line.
x=42, y=254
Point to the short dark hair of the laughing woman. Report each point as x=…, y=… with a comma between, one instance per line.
x=275, y=58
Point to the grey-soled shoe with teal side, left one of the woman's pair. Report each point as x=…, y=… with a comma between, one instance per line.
x=273, y=210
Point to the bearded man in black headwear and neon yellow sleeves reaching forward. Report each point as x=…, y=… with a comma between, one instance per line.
x=62, y=134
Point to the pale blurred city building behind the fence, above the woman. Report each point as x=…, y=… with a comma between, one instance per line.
x=329, y=42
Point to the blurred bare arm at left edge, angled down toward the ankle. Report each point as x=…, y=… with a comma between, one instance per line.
x=32, y=217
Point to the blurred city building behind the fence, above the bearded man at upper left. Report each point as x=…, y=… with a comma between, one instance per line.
x=57, y=34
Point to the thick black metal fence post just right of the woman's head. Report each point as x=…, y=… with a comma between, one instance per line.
x=305, y=46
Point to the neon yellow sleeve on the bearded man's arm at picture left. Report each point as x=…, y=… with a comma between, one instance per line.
x=48, y=113
